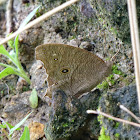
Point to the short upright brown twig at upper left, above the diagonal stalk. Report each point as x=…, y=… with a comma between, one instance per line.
x=9, y=15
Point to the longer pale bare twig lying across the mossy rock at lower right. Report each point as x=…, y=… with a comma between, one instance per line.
x=114, y=118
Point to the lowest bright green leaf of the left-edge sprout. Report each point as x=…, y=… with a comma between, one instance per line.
x=7, y=71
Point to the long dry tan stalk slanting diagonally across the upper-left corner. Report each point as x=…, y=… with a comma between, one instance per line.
x=39, y=19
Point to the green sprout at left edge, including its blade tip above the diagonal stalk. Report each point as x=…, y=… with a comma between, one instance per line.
x=17, y=69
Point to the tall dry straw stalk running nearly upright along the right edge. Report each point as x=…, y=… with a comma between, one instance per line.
x=135, y=42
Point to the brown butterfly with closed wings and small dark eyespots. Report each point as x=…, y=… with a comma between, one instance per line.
x=71, y=69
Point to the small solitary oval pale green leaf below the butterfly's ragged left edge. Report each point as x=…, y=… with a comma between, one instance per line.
x=33, y=99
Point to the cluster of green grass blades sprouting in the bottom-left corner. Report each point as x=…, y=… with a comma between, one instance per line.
x=11, y=129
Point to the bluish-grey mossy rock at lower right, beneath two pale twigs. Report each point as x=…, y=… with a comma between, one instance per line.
x=110, y=102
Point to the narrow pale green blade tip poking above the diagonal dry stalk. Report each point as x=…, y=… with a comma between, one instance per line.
x=28, y=18
